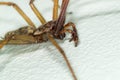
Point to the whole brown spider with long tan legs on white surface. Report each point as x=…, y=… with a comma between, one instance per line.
x=54, y=29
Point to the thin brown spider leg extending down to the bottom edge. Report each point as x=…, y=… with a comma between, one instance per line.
x=63, y=54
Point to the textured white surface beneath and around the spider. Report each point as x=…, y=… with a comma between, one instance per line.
x=97, y=57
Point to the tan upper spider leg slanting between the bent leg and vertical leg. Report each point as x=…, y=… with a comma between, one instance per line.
x=37, y=13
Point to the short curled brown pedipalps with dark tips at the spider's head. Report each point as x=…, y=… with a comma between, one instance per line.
x=73, y=32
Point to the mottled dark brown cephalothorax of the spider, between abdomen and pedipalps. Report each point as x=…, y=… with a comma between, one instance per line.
x=49, y=28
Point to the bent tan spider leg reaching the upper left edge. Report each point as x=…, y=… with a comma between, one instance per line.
x=26, y=18
